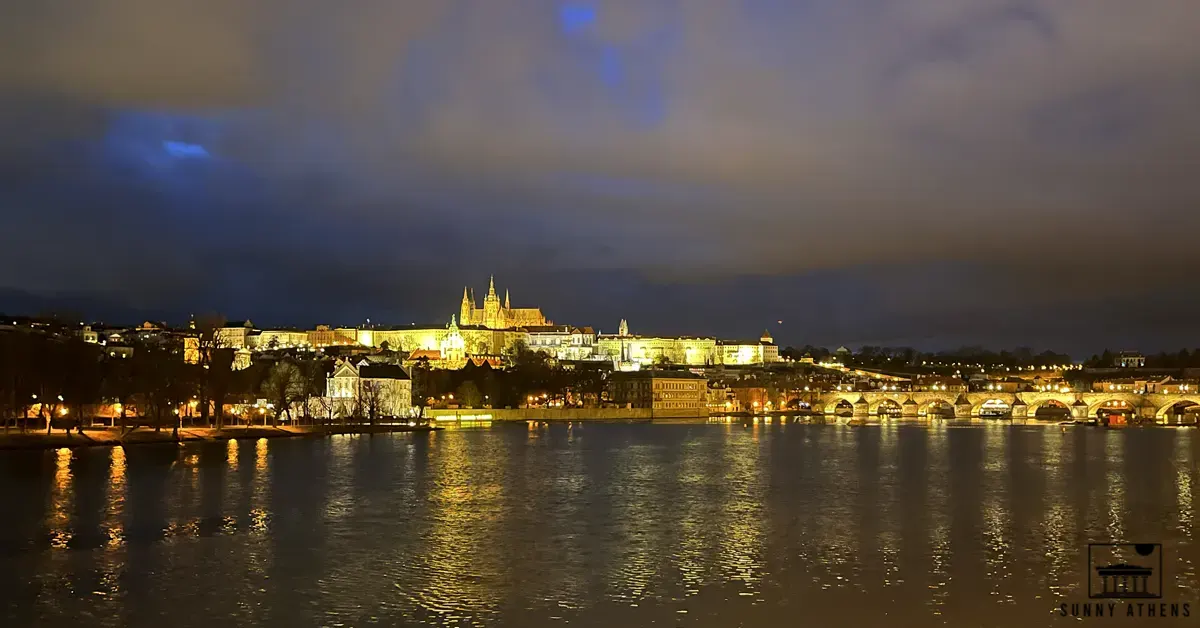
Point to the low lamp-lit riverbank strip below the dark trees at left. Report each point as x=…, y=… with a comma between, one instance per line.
x=112, y=438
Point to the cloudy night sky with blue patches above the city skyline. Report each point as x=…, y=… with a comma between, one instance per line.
x=911, y=172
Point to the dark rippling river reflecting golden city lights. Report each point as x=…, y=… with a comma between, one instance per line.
x=615, y=525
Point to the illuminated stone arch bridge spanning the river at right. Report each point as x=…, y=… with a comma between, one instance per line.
x=963, y=405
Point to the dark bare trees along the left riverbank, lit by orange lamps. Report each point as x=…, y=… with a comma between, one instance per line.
x=62, y=382
